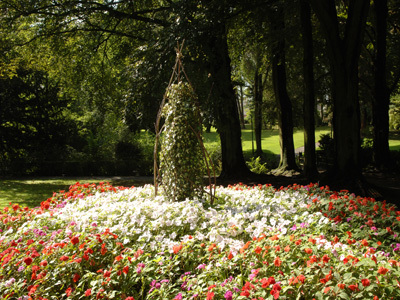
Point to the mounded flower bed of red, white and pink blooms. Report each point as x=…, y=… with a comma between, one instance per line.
x=299, y=242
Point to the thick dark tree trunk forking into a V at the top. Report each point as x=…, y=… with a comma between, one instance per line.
x=344, y=55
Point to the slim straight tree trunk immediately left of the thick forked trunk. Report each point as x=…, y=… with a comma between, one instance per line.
x=310, y=166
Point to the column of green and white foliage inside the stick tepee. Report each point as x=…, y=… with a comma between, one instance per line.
x=181, y=158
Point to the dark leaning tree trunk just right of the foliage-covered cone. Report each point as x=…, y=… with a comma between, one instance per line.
x=226, y=110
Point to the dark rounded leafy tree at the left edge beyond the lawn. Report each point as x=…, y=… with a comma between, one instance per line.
x=33, y=128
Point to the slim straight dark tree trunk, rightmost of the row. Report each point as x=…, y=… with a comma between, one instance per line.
x=381, y=100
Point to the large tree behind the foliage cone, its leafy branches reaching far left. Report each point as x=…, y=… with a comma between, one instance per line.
x=143, y=25
